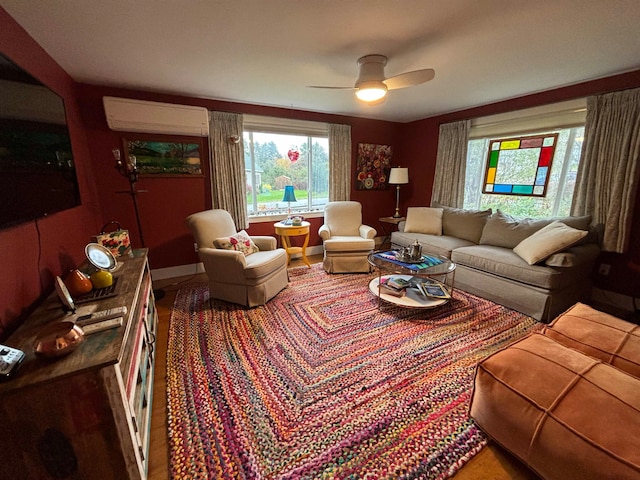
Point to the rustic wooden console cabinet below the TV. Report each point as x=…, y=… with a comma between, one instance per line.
x=86, y=415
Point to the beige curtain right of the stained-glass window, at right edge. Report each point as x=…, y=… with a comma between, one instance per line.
x=608, y=174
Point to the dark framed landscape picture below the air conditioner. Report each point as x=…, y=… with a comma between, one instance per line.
x=165, y=158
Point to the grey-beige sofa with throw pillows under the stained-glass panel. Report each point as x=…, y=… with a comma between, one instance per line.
x=488, y=250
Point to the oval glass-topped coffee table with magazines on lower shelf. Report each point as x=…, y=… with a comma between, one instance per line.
x=434, y=267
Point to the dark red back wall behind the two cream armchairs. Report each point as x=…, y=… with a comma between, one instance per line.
x=169, y=201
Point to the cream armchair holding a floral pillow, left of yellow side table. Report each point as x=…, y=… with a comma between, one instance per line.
x=248, y=280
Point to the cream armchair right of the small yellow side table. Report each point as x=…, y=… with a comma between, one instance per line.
x=347, y=242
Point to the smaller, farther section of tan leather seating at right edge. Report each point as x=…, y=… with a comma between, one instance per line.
x=599, y=335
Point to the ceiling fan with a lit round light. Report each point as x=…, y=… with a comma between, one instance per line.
x=372, y=85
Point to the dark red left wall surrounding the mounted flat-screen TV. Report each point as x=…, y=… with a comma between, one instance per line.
x=34, y=253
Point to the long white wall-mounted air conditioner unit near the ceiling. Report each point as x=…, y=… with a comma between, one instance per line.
x=125, y=114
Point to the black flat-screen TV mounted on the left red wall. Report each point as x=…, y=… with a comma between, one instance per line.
x=37, y=172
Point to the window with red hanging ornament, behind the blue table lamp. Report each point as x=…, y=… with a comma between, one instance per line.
x=279, y=152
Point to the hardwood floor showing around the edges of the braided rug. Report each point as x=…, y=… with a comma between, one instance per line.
x=492, y=463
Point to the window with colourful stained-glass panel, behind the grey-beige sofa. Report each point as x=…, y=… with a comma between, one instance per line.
x=521, y=174
